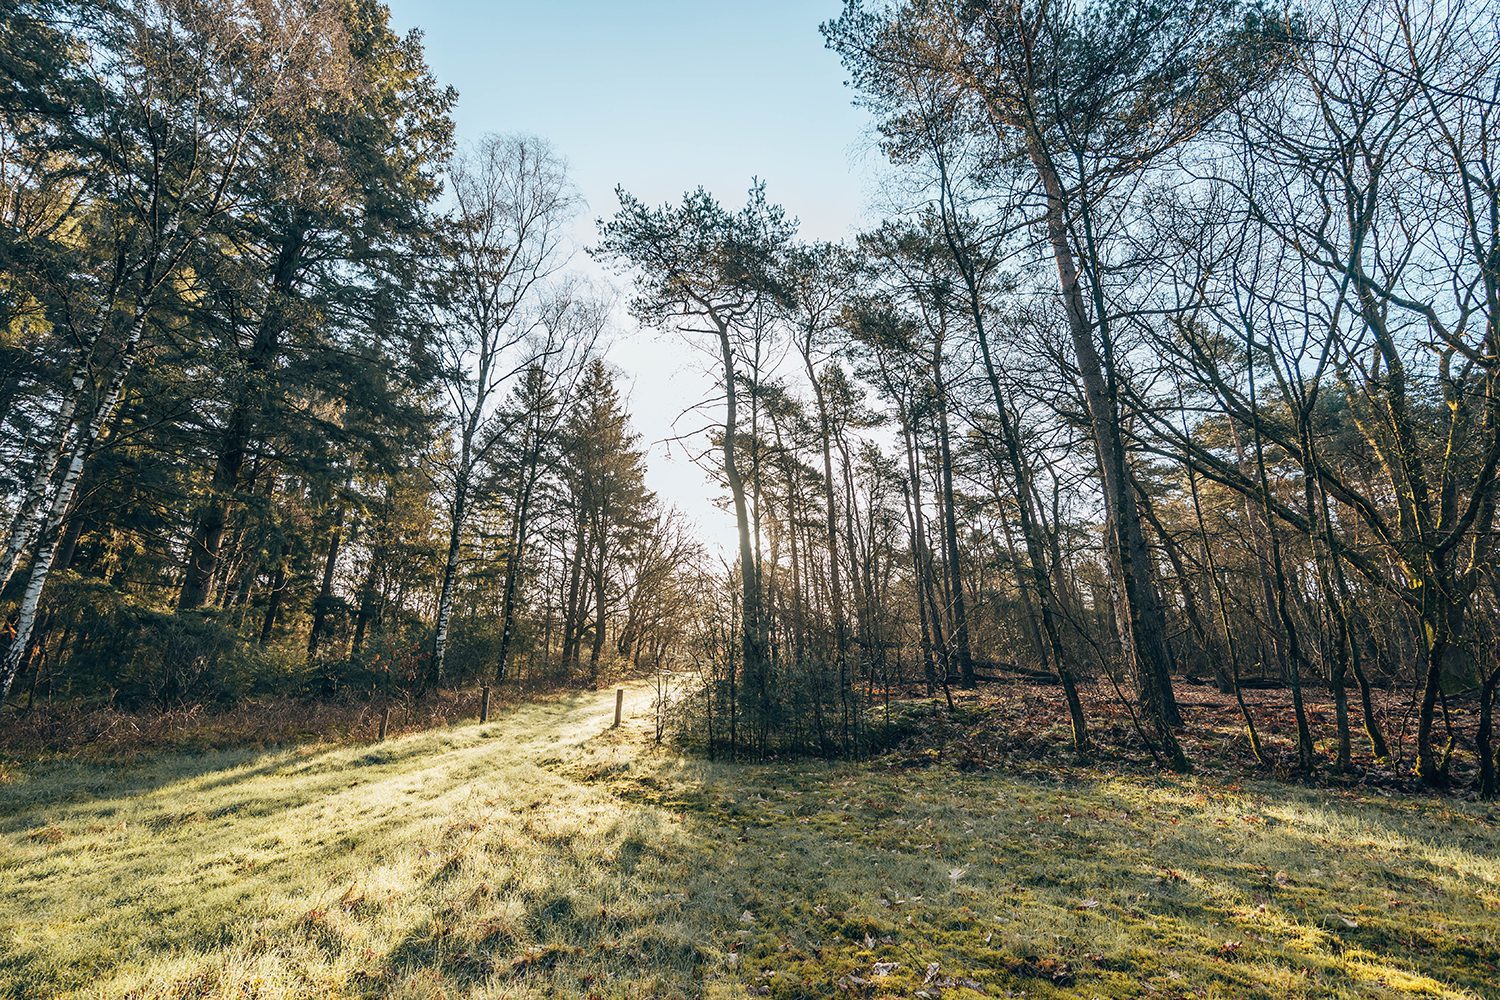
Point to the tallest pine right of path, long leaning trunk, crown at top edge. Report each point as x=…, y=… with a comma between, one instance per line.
x=1082, y=97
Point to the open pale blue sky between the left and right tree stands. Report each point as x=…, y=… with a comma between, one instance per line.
x=662, y=97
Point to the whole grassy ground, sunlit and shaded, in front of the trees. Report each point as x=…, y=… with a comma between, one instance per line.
x=545, y=855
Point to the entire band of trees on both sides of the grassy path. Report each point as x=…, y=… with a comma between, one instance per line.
x=1177, y=356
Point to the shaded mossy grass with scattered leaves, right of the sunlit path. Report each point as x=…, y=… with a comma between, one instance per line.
x=1106, y=887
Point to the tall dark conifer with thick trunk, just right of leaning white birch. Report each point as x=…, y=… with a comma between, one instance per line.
x=331, y=226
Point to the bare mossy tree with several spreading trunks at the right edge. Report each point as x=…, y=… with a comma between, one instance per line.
x=1364, y=275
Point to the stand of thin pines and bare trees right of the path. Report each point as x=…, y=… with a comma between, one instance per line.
x=1178, y=355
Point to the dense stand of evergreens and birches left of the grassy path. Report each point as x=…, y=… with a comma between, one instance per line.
x=295, y=397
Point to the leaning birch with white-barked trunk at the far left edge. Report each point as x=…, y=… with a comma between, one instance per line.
x=175, y=97
